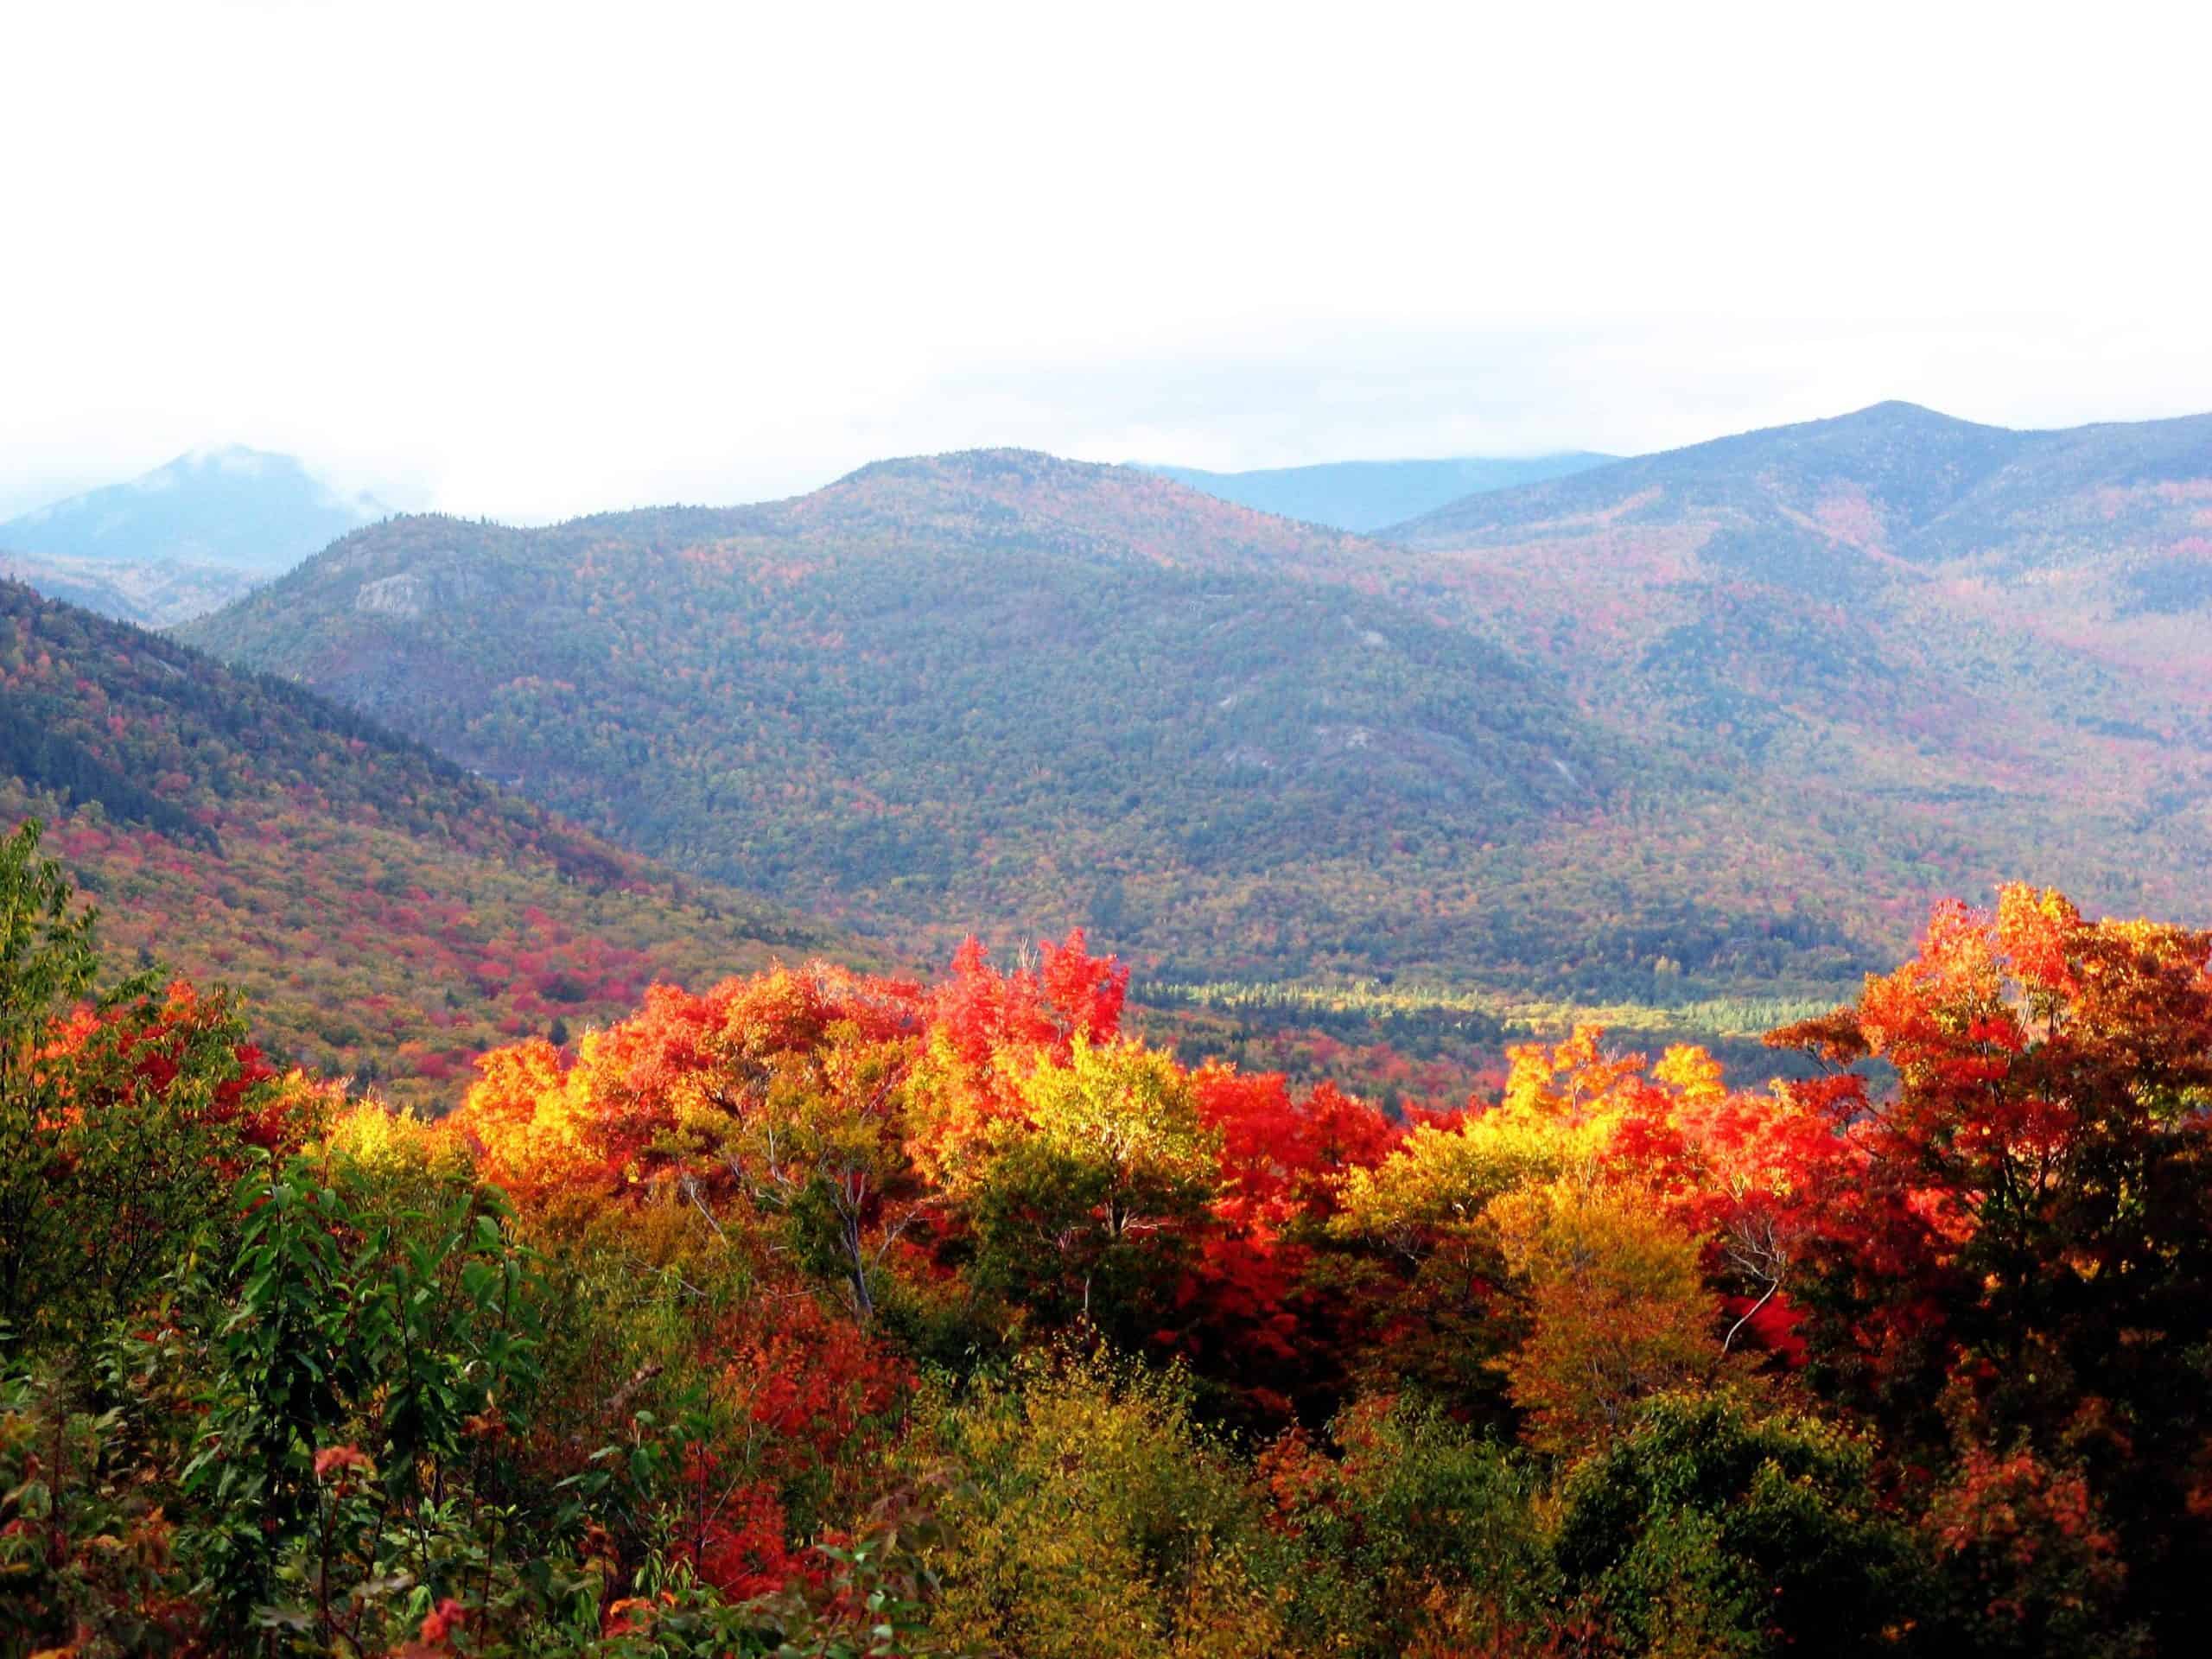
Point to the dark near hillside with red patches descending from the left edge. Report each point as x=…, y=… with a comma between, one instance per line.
x=386, y=912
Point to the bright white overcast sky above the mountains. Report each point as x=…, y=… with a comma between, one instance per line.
x=545, y=260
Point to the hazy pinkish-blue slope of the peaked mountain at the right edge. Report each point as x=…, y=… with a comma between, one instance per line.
x=1983, y=629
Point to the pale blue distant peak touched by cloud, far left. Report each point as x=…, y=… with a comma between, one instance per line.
x=238, y=510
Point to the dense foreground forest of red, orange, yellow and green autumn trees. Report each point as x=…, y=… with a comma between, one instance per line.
x=826, y=1313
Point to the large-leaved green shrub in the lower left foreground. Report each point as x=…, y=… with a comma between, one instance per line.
x=371, y=1390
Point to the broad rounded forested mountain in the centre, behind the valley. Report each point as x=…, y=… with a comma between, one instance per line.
x=1014, y=693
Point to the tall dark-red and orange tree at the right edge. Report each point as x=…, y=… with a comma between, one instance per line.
x=2032, y=1220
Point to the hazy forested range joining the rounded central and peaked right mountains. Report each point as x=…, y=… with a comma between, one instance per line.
x=1658, y=731
